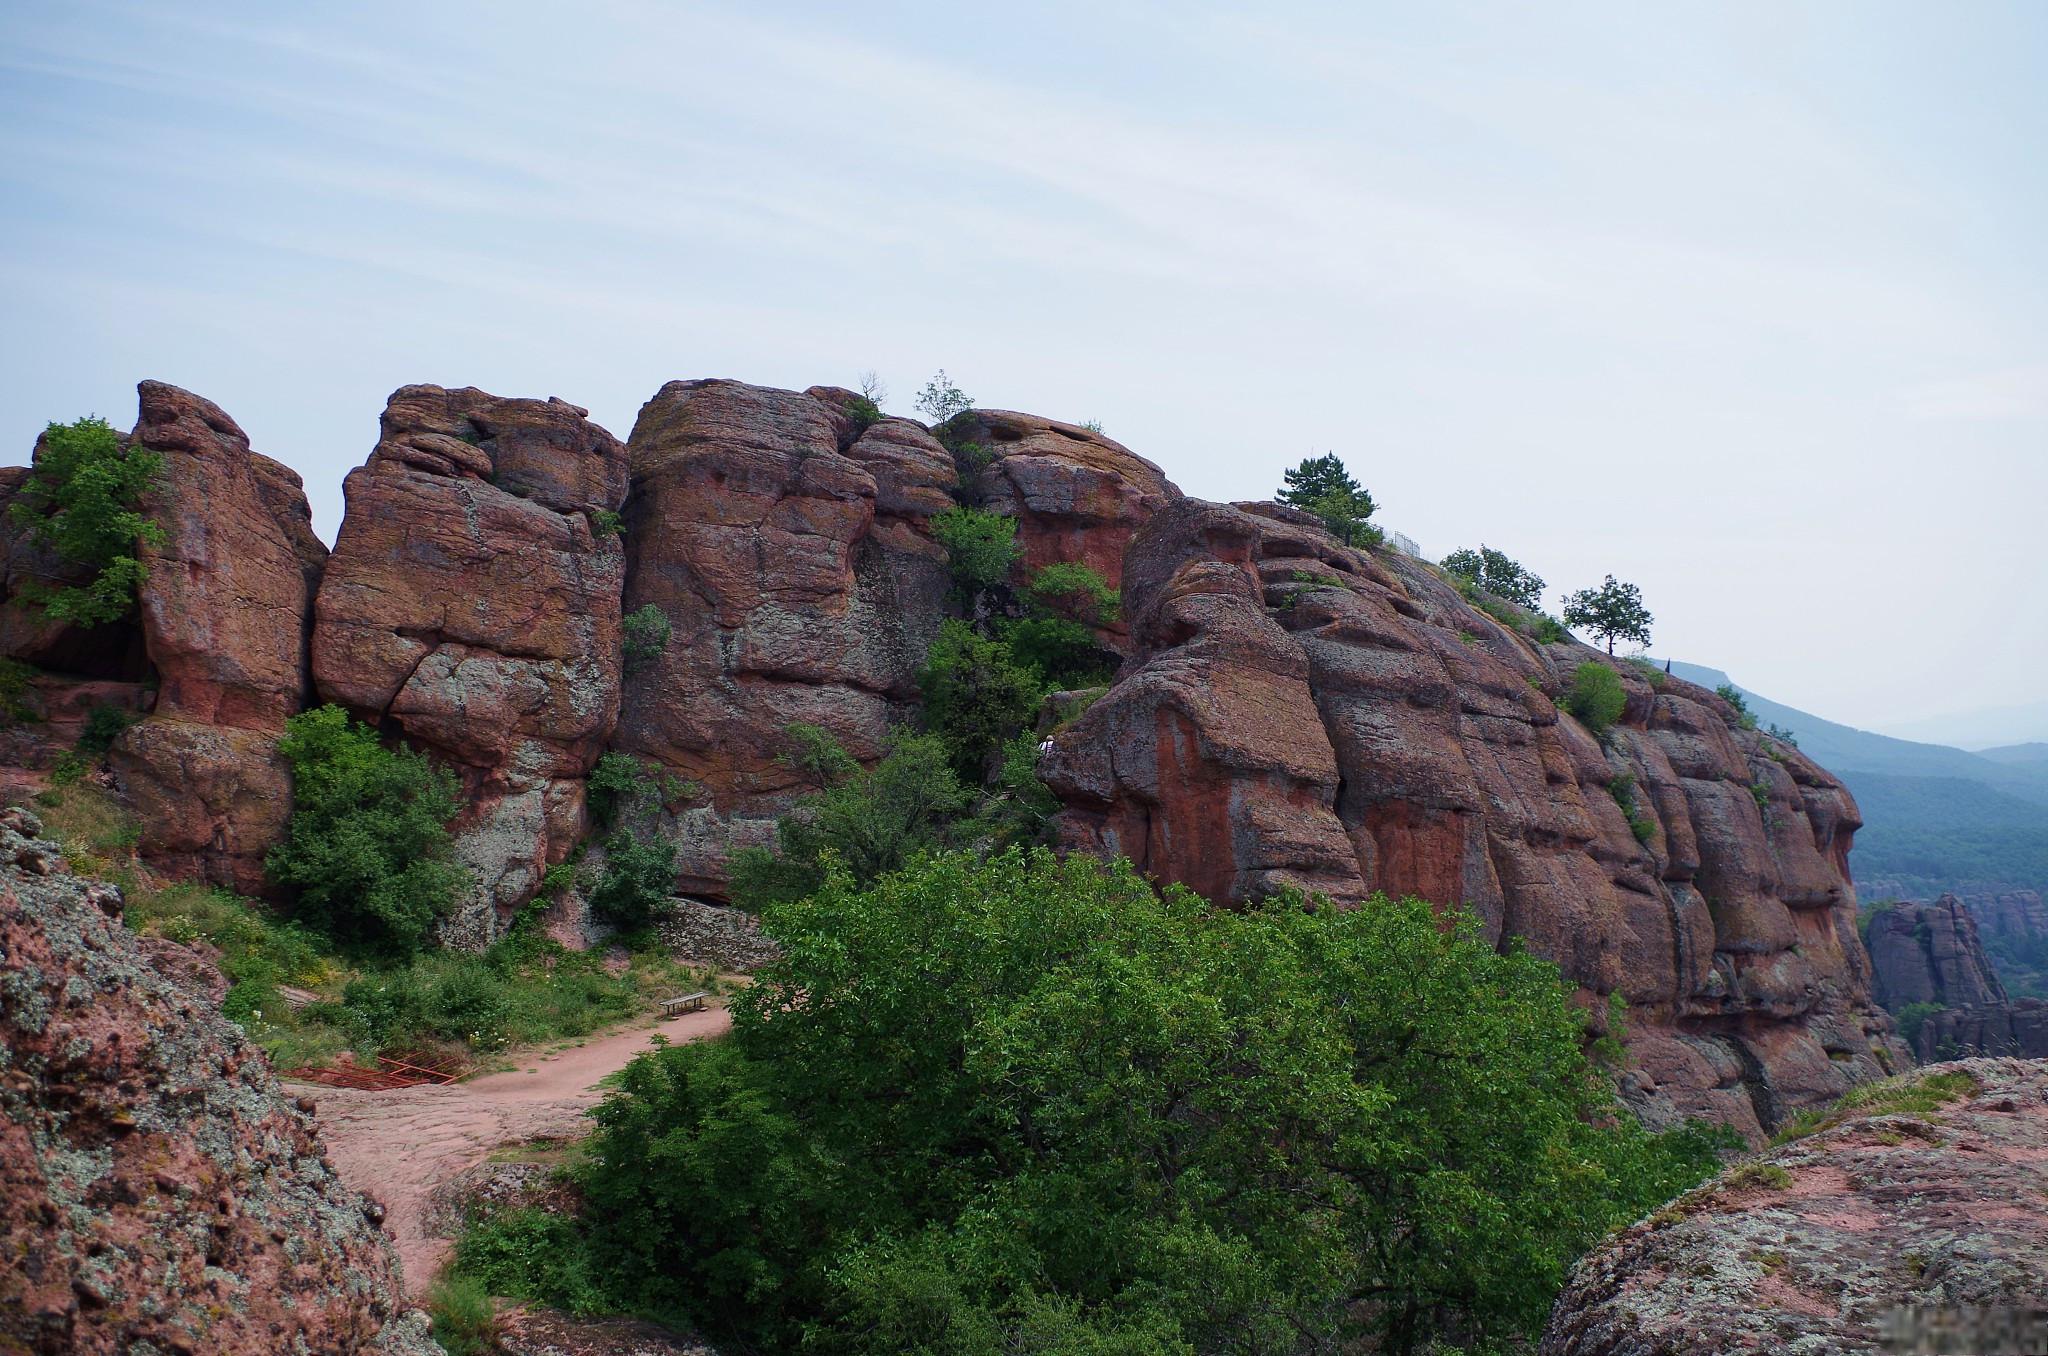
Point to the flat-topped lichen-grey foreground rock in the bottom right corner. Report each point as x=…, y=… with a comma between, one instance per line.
x=1869, y=1222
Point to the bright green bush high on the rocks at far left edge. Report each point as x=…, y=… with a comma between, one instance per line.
x=83, y=503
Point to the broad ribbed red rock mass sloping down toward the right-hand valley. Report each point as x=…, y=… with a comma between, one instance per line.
x=1306, y=716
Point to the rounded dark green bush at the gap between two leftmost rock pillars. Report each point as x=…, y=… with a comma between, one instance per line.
x=368, y=853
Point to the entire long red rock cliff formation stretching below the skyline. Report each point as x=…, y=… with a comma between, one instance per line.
x=517, y=591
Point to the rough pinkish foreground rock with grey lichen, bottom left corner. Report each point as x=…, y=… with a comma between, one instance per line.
x=157, y=1189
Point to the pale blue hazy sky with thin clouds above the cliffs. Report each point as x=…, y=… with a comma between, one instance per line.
x=1742, y=302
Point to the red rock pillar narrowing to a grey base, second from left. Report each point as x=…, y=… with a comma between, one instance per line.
x=472, y=605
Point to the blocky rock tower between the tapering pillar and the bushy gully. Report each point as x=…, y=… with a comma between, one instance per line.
x=787, y=552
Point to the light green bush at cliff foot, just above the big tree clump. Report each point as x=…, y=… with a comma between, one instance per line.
x=867, y=822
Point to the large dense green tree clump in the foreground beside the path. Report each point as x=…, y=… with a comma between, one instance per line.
x=1035, y=1105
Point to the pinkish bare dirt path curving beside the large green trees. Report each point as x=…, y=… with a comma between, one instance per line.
x=400, y=1146
